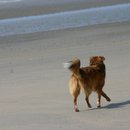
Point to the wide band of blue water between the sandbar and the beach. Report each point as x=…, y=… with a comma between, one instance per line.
x=64, y=20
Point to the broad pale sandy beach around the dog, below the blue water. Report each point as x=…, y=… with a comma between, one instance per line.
x=34, y=91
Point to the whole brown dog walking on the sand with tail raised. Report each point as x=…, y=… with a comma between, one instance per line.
x=89, y=79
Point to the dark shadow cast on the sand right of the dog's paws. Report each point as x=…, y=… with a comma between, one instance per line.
x=116, y=105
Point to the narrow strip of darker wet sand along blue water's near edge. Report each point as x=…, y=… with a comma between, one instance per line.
x=56, y=33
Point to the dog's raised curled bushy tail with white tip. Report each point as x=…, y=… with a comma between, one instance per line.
x=73, y=65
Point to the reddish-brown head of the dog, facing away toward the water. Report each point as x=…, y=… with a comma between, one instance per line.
x=95, y=60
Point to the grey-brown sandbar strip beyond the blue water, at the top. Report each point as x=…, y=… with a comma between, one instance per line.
x=37, y=7
